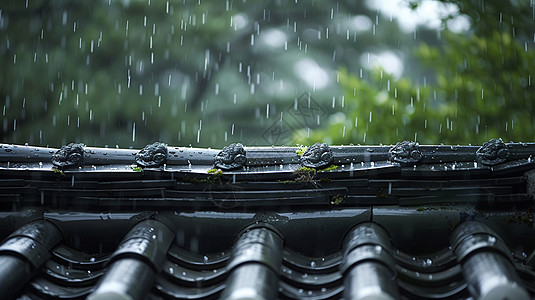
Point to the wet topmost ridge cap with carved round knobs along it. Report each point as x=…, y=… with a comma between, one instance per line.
x=236, y=157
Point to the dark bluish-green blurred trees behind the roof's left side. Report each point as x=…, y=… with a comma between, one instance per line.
x=182, y=72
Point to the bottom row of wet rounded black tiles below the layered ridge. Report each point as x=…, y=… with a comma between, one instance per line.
x=38, y=261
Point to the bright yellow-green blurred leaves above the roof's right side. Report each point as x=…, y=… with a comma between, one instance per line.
x=482, y=87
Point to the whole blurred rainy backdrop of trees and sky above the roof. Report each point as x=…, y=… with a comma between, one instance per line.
x=209, y=73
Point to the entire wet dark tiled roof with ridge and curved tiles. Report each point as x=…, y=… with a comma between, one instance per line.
x=355, y=222
